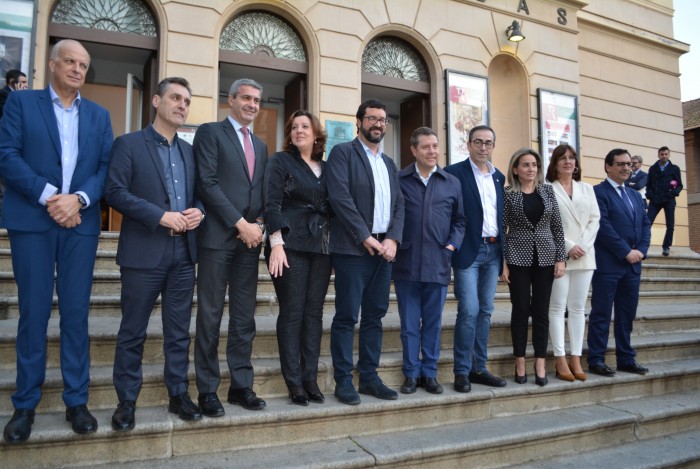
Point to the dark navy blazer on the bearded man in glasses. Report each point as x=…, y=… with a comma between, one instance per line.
x=351, y=194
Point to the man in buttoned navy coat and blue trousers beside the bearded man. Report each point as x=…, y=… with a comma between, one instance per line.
x=434, y=224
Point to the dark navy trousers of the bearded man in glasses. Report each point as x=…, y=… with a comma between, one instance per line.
x=360, y=282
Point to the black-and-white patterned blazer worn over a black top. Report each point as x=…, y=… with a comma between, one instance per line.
x=522, y=237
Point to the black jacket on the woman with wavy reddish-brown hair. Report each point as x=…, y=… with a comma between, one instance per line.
x=296, y=202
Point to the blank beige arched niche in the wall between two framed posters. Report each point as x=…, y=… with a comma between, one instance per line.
x=510, y=115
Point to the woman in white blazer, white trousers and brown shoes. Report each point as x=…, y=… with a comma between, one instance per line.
x=580, y=218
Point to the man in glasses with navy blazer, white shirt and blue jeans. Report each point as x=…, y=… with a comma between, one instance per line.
x=479, y=261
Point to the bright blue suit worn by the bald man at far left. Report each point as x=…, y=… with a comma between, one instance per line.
x=30, y=157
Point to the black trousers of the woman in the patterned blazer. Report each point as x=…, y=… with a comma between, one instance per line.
x=530, y=289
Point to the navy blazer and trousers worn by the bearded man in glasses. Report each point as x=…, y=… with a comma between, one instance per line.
x=361, y=280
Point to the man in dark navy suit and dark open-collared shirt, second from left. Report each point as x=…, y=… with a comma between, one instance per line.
x=151, y=182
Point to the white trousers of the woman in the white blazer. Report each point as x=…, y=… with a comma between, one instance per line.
x=569, y=291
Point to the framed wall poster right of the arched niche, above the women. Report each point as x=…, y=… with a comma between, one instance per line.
x=558, y=116
